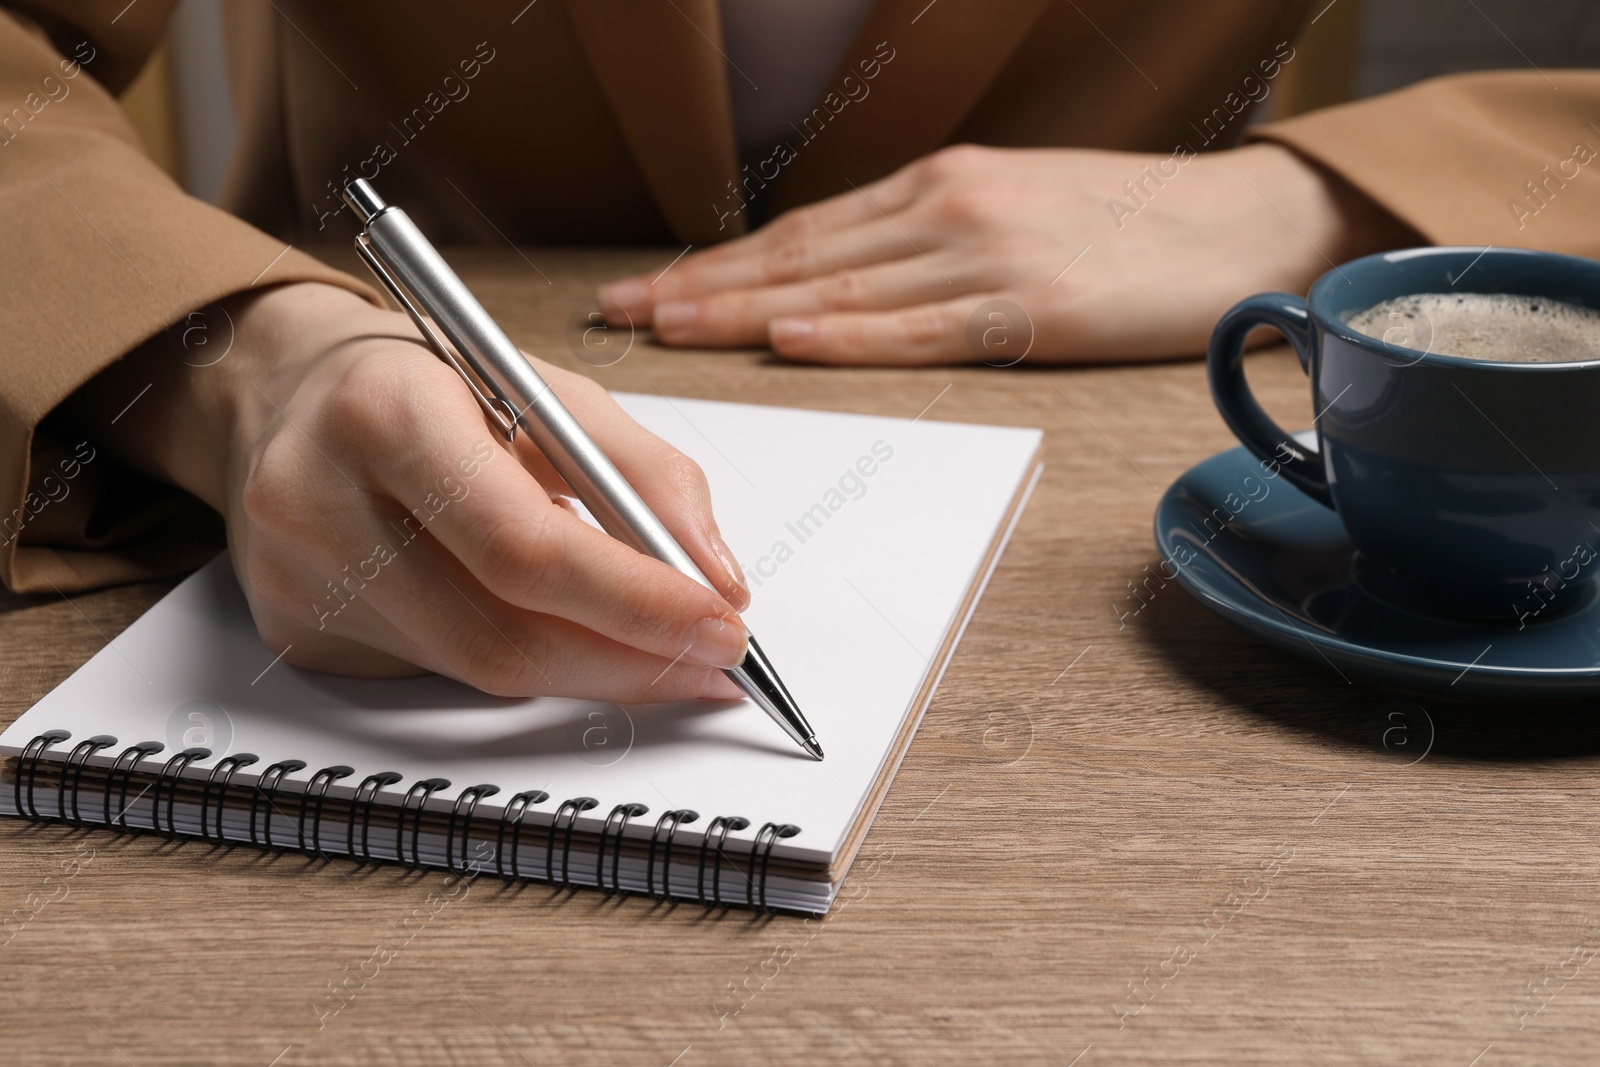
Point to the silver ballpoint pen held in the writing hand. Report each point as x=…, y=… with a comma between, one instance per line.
x=513, y=396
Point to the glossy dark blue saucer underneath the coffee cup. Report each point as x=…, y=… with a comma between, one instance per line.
x=1266, y=557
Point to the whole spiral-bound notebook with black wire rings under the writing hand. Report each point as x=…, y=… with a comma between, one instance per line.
x=868, y=543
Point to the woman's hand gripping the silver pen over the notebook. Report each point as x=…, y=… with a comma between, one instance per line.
x=378, y=526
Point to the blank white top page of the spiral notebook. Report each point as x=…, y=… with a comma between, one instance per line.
x=857, y=580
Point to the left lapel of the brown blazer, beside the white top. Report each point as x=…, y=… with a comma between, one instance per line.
x=662, y=70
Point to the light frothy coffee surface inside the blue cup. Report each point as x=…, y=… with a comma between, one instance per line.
x=1486, y=327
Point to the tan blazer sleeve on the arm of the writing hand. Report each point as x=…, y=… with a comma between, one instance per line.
x=102, y=252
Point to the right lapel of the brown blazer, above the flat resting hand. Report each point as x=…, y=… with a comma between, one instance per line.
x=943, y=58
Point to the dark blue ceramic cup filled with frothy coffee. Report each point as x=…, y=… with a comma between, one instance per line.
x=1470, y=487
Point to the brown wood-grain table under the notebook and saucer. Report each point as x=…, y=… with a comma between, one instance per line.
x=1113, y=842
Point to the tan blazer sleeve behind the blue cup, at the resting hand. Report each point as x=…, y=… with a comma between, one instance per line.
x=1505, y=158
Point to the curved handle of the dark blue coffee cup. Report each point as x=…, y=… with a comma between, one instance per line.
x=1252, y=426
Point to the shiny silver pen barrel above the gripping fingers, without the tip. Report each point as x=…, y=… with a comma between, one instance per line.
x=502, y=366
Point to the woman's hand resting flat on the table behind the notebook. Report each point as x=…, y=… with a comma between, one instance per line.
x=1108, y=255
